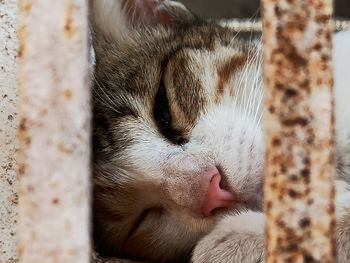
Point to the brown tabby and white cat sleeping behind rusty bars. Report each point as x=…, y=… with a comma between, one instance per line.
x=178, y=138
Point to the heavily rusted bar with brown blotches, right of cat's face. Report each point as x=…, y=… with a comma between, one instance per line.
x=300, y=164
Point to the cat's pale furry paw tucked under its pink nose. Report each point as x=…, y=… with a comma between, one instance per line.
x=238, y=238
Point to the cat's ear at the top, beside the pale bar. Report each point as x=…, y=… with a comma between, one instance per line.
x=117, y=18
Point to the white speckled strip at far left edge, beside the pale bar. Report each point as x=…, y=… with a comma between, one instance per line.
x=8, y=132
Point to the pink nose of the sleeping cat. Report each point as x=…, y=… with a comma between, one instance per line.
x=215, y=196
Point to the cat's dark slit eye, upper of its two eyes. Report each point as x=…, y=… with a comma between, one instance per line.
x=163, y=117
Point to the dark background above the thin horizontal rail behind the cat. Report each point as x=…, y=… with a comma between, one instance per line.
x=245, y=8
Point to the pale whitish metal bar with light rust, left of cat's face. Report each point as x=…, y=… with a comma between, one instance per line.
x=54, y=165
